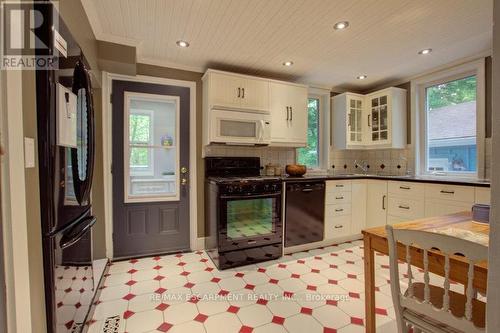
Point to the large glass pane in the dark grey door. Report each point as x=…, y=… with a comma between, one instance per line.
x=152, y=149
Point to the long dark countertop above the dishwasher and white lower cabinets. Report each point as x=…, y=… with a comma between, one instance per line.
x=418, y=179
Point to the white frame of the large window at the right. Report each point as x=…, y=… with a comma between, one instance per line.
x=419, y=117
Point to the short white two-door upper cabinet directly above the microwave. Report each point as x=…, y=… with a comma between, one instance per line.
x=227, y=90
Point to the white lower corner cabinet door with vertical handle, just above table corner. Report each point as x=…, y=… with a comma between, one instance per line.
x=376, y=203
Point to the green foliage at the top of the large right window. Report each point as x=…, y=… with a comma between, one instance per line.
x=452, y=93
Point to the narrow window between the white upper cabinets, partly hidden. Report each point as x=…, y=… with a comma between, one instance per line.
x=310, y=154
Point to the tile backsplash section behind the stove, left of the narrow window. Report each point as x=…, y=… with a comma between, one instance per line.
x=274, y=155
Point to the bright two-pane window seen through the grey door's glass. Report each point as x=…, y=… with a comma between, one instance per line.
x=140, y=134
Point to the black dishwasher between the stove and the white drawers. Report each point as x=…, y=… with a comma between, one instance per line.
x=304, y=212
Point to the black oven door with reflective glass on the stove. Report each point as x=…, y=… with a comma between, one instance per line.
x=249, y=220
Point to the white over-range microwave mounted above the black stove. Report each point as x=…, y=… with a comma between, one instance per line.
x=240, y=127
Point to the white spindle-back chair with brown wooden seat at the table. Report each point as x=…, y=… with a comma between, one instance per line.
x=420, y=297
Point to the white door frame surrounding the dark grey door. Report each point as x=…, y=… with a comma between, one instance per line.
x=107, y=82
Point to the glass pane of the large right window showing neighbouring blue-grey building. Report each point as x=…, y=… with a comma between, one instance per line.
x=451, y=126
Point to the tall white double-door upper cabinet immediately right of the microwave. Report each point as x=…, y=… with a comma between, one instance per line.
x=288, y=114
